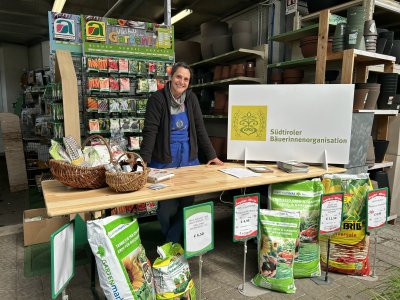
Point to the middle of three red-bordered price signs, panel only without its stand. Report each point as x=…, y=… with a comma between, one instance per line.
x=331, y=213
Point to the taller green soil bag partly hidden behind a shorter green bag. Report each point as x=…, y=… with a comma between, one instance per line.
x=305, y=197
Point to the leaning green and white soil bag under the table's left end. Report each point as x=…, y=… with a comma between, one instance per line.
x=123, y=268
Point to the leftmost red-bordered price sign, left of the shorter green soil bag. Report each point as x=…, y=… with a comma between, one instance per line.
x=245, y=216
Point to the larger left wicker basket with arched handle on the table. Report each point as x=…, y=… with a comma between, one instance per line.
x=78, y=176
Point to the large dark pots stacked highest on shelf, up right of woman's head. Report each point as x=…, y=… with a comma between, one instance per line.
x=215, y=39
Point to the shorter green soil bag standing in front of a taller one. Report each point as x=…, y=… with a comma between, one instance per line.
x=279, y=231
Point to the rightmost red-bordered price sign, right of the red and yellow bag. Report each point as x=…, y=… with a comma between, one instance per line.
x=377, y=204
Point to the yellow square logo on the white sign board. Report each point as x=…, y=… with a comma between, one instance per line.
x=249, y=123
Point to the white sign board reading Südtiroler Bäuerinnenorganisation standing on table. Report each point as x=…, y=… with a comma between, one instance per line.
x=290, y=122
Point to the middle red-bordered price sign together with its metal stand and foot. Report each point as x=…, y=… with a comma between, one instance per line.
x=330, y=222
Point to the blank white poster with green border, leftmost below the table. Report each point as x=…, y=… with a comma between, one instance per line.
x=62, y=244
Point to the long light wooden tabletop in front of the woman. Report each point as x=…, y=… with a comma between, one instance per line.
x=188, y=181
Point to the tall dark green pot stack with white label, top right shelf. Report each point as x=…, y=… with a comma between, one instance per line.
x=355, y=28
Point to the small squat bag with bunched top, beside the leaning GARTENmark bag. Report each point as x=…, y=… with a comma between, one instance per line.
x=172, y=274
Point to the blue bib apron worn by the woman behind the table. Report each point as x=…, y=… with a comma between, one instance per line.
x=179, y=144
